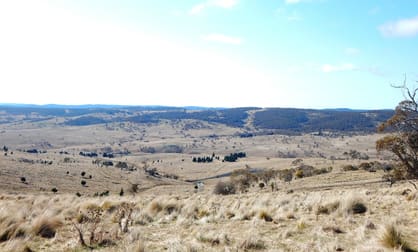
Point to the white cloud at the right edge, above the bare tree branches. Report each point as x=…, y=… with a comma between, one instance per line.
x=400, y=28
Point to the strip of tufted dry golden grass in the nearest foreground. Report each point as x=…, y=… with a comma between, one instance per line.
x=208, y=222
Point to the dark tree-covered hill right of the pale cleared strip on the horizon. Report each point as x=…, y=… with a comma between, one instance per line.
x=307, y=120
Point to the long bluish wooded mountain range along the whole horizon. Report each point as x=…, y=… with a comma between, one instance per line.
x=284, y=120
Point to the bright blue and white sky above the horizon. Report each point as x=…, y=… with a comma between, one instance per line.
x=212, y=53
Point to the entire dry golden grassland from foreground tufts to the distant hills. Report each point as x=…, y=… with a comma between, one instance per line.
x=326, y=212
